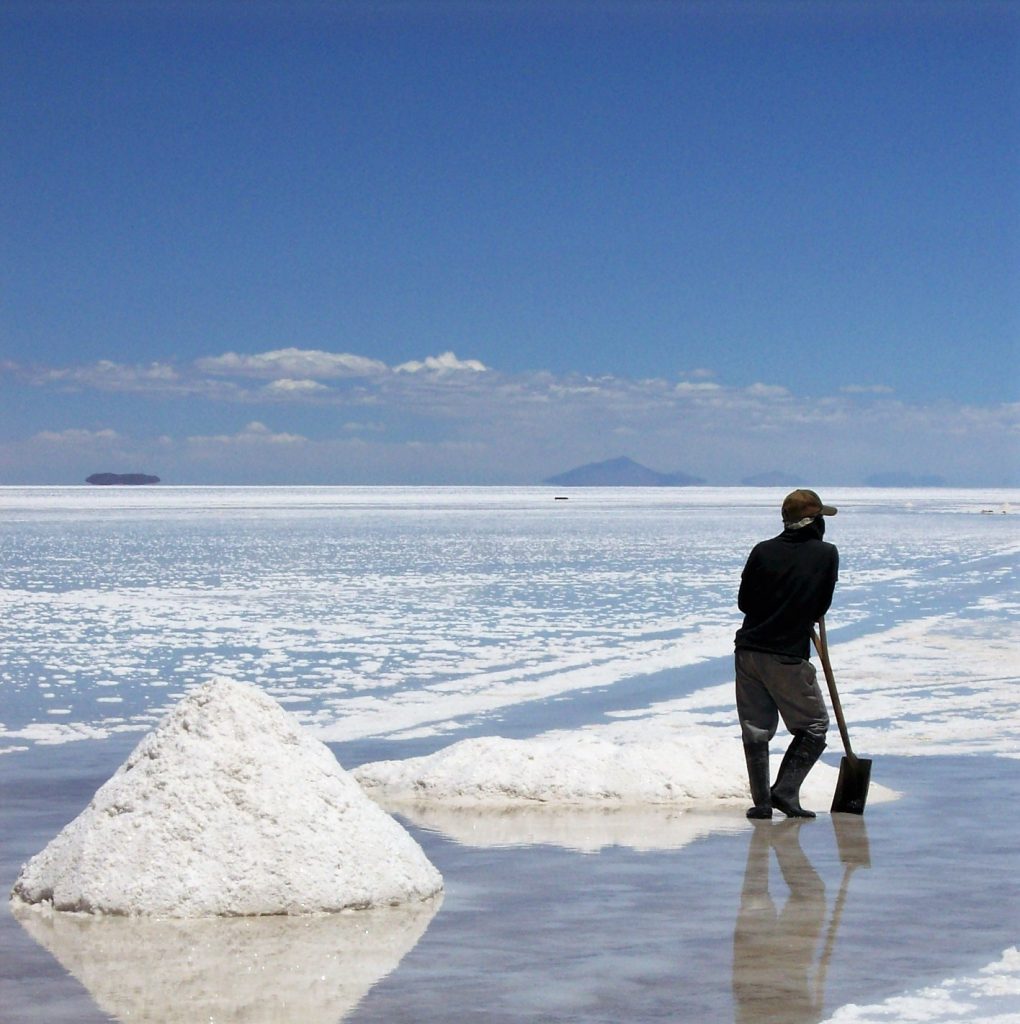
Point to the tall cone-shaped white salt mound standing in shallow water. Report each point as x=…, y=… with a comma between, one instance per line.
x=229, y=809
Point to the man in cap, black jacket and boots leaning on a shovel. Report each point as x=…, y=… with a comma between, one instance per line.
x=786, y=588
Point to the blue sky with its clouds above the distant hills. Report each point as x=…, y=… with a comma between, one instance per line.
x=330, y=243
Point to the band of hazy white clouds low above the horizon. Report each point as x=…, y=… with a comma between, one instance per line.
x=513, y=429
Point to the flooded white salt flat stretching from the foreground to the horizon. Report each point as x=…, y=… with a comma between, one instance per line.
x=396, y=622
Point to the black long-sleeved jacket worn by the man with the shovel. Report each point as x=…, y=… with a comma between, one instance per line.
x=786, y=588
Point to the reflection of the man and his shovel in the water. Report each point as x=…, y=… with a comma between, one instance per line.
x=775, y=951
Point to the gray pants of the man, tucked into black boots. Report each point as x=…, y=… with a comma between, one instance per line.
x=771, y=686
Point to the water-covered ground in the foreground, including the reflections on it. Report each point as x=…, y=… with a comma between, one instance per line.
x=780, y=922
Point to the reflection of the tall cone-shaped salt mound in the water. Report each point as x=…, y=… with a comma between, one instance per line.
x=276, y=970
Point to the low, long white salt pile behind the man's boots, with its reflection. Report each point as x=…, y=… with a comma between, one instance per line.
x=644, y=786
